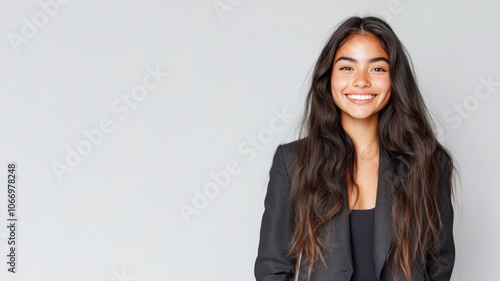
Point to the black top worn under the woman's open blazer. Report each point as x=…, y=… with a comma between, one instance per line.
x=362, y=244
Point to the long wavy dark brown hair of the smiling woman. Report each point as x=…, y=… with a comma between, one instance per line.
x=326, y=157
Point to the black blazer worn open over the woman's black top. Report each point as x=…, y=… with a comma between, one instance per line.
x=272, y=263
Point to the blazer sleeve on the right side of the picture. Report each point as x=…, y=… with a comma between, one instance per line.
x=440, y=268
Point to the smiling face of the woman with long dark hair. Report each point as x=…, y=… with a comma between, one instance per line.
x=360, y=81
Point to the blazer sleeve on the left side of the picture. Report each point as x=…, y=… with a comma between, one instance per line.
x=272, y=263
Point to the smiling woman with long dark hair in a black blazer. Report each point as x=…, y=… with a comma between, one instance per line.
x=365, y=193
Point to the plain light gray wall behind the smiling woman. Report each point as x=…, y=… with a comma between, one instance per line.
x=232, y=76
